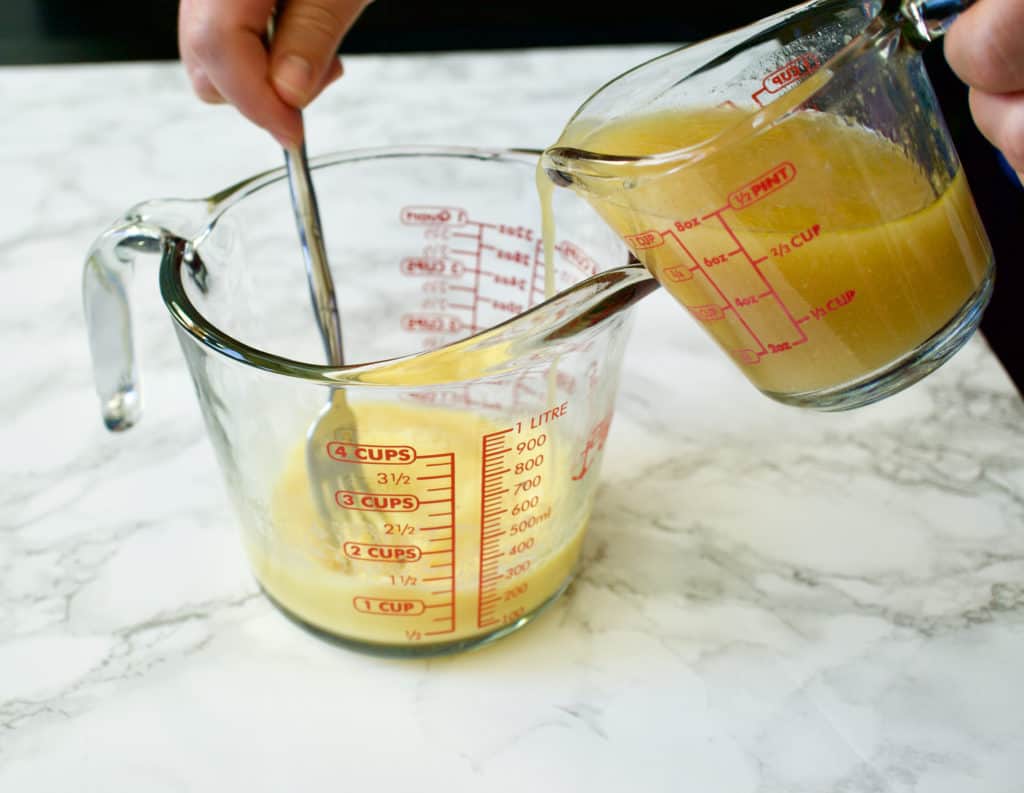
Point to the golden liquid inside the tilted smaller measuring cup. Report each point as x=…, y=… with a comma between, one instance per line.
x=815, y=254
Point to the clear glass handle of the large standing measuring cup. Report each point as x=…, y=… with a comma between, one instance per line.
x=106, y=280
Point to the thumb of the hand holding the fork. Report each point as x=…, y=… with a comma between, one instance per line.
x=306, y=46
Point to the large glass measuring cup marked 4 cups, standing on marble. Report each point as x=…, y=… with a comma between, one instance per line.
x=459, y=507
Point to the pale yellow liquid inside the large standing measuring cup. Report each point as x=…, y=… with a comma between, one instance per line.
x=460, y=529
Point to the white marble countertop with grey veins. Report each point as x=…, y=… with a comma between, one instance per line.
x=772, y=600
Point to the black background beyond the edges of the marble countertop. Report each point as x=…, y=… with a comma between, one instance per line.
x=82, y=31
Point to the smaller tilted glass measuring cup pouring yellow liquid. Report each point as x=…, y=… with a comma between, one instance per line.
x=796, y=189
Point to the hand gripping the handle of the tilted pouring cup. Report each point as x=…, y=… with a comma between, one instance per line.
x=986, y=49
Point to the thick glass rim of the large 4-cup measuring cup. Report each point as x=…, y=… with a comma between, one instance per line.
x=181, y=258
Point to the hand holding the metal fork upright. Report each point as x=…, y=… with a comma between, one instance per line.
x=223, y=45
